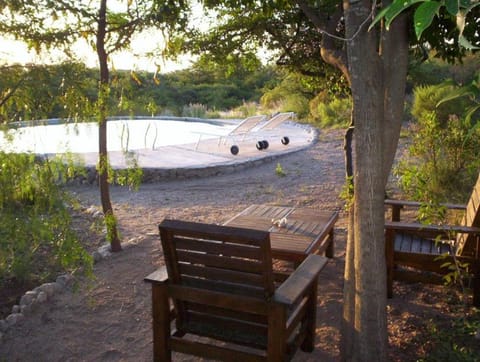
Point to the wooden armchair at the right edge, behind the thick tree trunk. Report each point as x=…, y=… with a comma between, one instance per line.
x=427, y=248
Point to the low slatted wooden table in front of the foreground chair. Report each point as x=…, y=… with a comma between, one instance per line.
x=307, y=230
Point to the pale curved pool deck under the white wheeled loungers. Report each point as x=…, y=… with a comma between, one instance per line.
x=209, y=157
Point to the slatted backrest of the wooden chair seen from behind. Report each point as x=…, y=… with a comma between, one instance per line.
x=217, y=256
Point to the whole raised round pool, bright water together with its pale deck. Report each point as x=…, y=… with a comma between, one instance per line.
x=179, y=155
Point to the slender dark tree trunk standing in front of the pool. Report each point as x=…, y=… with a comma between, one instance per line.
x=110, y=221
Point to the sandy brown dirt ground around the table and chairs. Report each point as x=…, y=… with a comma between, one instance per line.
x=108, y=318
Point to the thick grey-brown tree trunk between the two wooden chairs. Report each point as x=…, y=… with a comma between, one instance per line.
x=377, y=112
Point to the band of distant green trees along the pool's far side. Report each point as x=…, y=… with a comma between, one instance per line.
x=70, y=91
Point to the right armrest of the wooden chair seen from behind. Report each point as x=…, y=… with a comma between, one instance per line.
x=294, y=288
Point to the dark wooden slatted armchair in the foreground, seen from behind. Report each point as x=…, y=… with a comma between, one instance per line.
x=220, y=282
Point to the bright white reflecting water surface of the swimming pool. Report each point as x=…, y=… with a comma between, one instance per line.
x=123, y=135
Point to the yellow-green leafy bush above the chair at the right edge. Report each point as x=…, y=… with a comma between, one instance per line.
x=444, y=156
